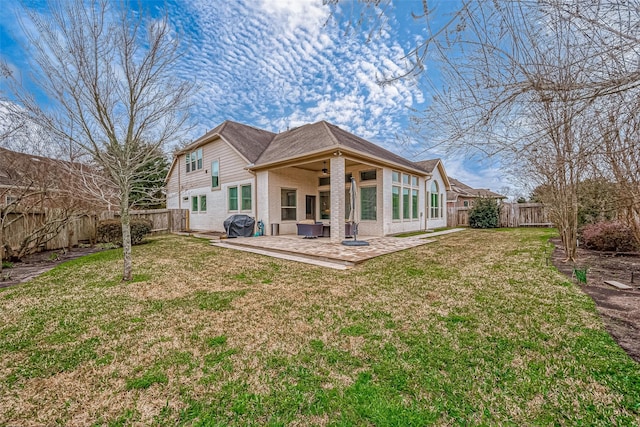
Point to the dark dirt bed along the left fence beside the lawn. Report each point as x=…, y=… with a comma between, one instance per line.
x=36, y=264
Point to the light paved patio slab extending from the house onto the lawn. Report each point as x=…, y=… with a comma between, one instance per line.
x=321, y=251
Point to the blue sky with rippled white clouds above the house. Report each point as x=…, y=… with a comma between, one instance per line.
x=277, y=64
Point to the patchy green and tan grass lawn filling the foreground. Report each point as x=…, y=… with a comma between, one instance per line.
x=473, y=329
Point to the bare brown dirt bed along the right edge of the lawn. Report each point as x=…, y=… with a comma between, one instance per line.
x=620, y=309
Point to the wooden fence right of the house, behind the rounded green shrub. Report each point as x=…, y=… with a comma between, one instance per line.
x=511, y=215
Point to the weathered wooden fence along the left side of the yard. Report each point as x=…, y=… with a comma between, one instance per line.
x=82, y=229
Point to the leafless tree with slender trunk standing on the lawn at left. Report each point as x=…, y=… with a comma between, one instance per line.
x=111, y=78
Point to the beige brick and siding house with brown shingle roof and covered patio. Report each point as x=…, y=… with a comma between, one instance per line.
x=304, y=174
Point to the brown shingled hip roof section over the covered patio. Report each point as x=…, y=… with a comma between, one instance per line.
x=323, y=136
